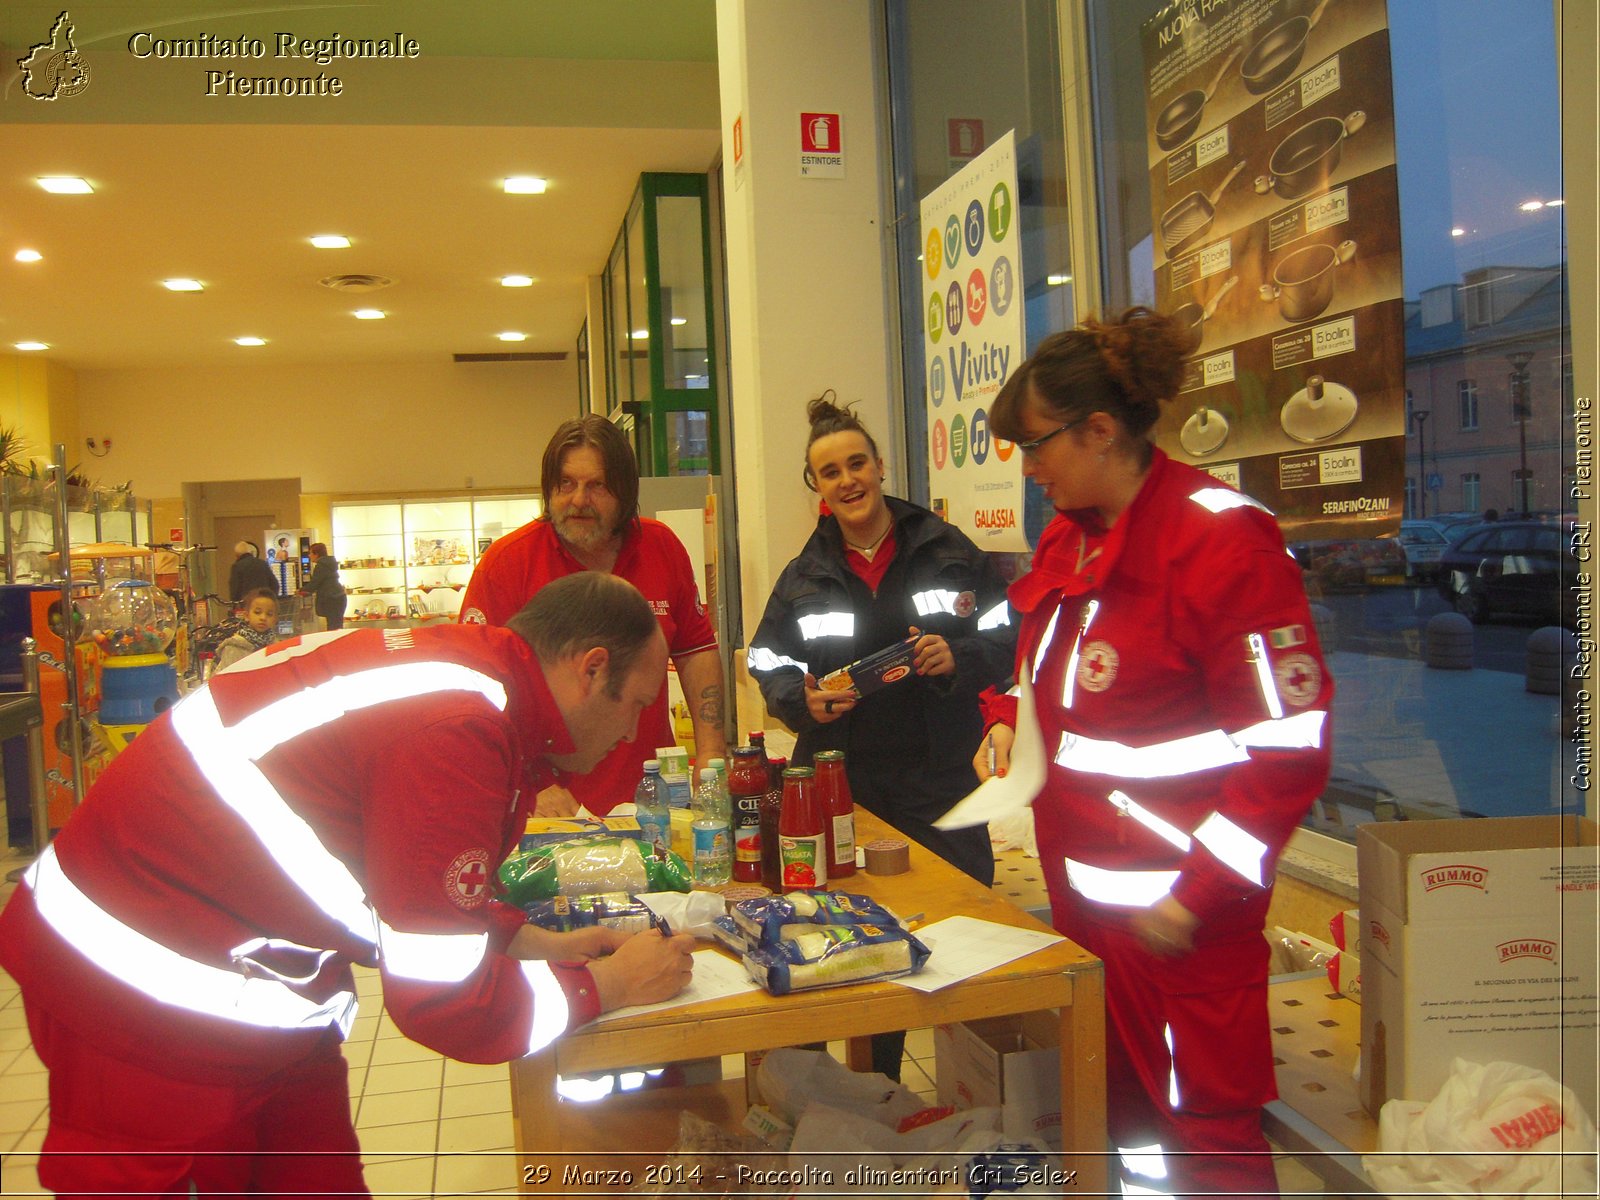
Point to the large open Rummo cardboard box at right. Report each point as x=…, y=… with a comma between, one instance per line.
x=1478, y=943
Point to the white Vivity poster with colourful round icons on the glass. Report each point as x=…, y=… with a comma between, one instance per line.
x=972, y=342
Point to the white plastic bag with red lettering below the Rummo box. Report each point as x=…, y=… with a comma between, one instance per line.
x=1495, y=1129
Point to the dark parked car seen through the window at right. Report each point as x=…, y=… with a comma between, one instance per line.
x=1516, y=569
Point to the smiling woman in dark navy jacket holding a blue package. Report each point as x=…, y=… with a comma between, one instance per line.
x=876, y=572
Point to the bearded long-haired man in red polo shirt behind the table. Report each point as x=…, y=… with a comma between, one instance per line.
x=591, y=524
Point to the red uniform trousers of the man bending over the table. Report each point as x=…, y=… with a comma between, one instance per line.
x=122, y=1130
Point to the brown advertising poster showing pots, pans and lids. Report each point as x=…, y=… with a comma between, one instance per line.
x=1278, y=244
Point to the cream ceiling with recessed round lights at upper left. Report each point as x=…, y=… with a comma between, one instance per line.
x=414, y=180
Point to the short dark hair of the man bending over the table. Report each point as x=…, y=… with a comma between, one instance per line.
x=582, y=612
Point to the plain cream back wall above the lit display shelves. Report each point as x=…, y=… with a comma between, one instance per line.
x=382, y=428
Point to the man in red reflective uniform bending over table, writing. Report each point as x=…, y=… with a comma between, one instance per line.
x=185, y=946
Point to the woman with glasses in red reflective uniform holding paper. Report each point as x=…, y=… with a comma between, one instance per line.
x=1185, y=703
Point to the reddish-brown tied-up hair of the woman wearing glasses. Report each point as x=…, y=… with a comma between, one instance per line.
x=1127, y=367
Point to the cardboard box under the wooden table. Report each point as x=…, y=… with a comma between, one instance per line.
x=1012, y=1063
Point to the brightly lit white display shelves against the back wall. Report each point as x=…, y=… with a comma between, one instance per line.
x=409, y=562
